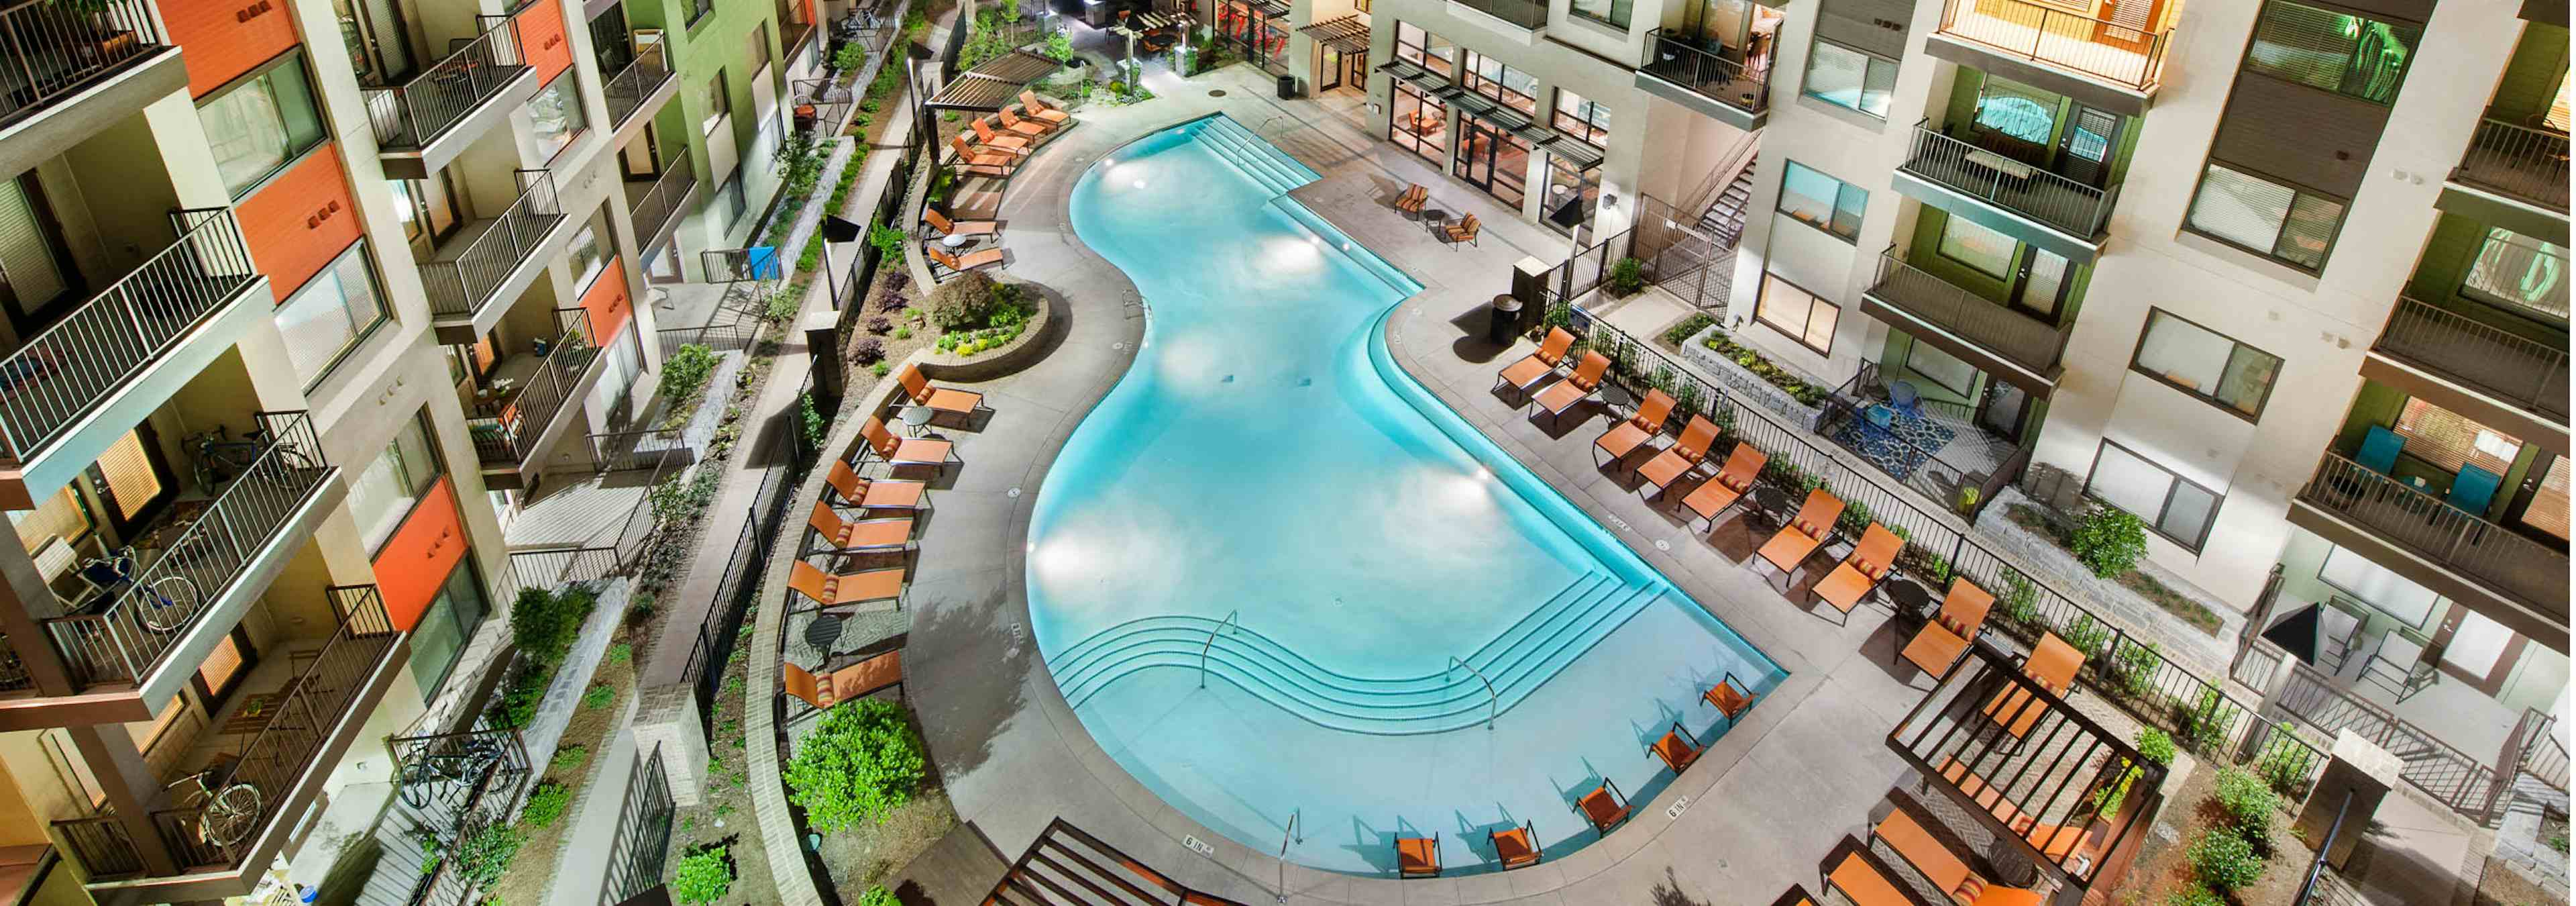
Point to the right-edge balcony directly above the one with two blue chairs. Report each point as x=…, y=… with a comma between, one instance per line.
x=2474, y=369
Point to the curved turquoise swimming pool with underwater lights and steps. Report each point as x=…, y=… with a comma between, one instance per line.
x=1258, y=557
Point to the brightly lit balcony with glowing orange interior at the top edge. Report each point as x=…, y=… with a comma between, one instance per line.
x=2111, y=63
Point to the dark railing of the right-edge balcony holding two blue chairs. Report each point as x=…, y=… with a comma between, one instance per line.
x=2436, y=532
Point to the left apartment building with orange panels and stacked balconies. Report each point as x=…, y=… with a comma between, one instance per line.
x=303, y=300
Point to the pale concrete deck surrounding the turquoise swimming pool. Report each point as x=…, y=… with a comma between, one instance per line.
x=1753, y=817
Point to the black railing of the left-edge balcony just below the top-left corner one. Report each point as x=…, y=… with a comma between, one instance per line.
x=73, y=367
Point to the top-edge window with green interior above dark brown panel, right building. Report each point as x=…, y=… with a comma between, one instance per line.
x=2340, y=53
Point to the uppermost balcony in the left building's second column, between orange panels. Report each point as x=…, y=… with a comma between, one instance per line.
x=426, y=122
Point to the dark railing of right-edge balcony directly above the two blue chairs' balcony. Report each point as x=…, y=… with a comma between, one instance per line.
x=2487, y=359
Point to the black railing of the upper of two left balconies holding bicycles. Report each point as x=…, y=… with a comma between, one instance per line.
x=169, y=596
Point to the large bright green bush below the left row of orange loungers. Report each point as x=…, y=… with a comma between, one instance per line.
x=857, y=766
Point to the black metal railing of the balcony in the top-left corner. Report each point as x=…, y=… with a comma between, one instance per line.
x=53, y=50
